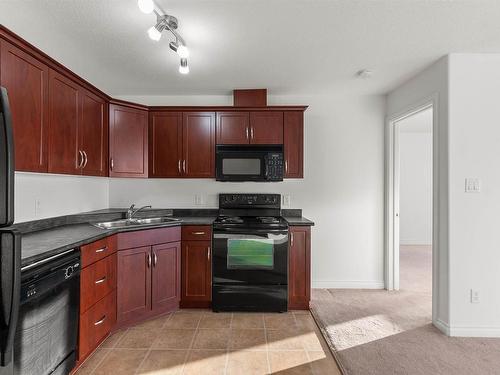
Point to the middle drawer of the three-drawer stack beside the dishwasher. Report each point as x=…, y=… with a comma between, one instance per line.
x=96, y=281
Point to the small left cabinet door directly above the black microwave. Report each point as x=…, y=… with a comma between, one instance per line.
x=233, y=128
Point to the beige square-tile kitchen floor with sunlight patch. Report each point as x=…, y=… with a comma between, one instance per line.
x=203, y=342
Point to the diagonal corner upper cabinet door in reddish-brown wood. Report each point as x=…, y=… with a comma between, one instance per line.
x=128, y=141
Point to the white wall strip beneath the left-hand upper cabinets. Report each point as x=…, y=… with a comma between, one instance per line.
x=40, y=196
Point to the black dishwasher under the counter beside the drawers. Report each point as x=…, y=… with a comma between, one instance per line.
x=47, y=329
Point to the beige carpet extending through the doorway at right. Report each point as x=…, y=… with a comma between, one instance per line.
x=379, y=332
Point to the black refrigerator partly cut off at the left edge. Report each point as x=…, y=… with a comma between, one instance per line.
x=10, y=242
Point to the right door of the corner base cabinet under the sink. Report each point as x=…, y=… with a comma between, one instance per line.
x=166, y=285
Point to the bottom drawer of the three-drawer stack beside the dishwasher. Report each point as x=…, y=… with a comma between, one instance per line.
x=96, y=324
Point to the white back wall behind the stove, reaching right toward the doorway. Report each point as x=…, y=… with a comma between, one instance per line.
x=342, y=190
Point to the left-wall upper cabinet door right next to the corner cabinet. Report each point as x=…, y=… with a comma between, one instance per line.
x=93, y=129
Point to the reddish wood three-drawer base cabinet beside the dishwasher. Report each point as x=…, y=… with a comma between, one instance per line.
x=97, y=294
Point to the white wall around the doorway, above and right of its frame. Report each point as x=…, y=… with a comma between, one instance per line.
x=432, y=84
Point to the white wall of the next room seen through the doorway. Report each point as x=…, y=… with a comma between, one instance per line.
x=415, y=190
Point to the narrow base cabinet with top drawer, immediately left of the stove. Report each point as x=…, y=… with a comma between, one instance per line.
x=196, y=266
